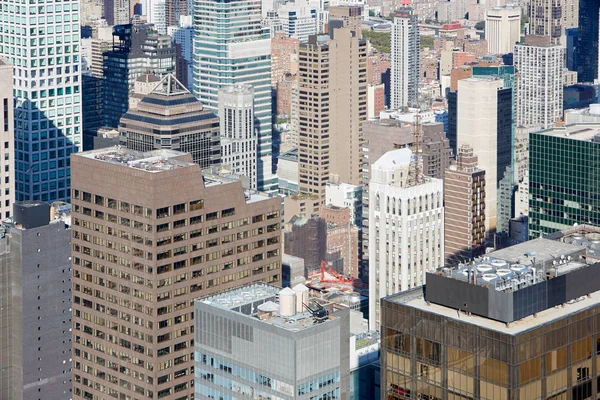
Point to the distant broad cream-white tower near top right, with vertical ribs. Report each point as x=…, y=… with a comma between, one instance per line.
x=503, y=29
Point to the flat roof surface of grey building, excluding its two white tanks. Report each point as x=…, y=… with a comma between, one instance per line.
x=261, y=301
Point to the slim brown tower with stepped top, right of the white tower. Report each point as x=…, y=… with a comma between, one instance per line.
x=464, y=208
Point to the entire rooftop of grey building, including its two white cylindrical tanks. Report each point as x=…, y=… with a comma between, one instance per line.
x=274, y=306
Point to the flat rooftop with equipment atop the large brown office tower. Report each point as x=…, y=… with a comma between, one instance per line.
x=151, y=161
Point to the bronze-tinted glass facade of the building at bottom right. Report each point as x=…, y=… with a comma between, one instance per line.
x=426, y=355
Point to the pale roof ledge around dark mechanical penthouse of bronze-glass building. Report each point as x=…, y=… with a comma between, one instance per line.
x=414, y=298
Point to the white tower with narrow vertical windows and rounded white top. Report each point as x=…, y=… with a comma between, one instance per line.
x=406, y=228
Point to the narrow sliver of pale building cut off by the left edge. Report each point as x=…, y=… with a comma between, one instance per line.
x=7, y=136
